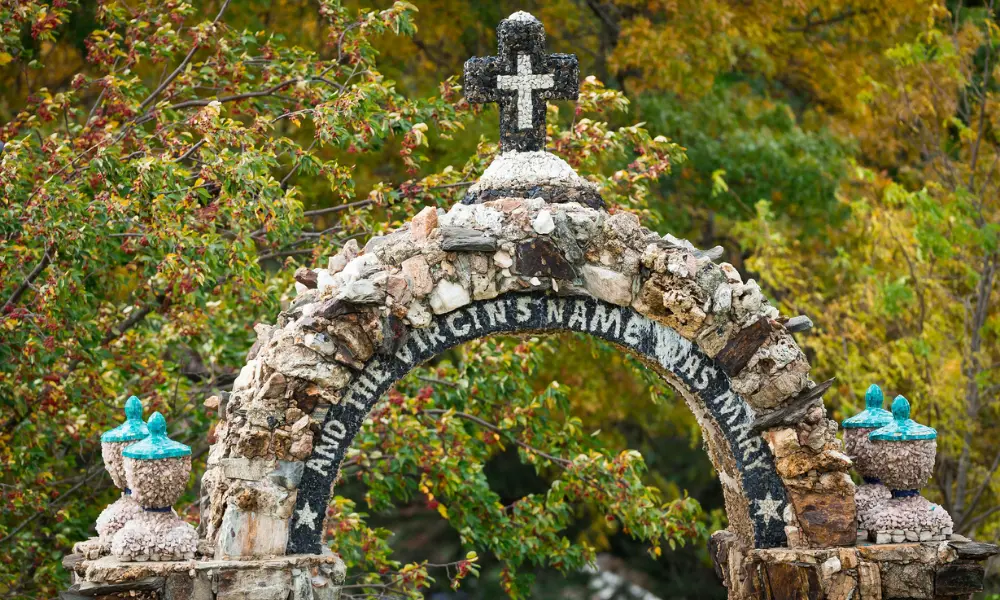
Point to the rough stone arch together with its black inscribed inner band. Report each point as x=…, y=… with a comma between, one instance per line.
x=504, y=266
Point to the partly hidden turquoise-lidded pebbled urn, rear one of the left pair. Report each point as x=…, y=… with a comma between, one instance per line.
x=125, y=508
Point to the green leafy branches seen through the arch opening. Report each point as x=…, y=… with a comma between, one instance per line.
x=432, y=439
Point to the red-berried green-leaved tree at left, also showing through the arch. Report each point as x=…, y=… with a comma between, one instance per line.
x=154, y=207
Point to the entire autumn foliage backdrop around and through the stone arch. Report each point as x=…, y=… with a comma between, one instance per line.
x=165, y=170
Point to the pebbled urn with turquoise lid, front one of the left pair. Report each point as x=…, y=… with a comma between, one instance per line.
x=157, y=471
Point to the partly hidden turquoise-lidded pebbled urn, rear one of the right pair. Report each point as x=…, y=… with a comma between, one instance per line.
x=870, y=496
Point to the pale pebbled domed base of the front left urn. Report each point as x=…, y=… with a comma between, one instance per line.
x=156, y=536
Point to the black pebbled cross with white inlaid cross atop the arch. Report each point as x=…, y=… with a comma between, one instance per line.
x=520, y=79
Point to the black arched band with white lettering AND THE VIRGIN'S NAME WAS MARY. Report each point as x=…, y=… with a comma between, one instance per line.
x=701, y=381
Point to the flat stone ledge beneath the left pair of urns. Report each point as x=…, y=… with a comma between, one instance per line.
x=296, y=577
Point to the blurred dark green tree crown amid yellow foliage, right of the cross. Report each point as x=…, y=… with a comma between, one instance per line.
x=743, y=147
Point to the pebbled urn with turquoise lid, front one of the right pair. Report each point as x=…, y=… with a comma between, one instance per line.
x=904, y=452
